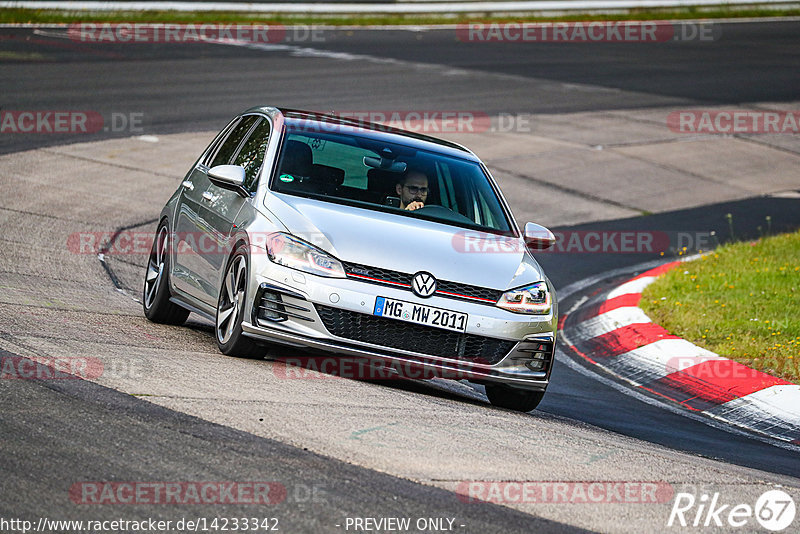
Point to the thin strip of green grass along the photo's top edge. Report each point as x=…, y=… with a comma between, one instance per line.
x=13, y=15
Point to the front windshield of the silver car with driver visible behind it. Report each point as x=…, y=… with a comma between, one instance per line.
x=372, y=173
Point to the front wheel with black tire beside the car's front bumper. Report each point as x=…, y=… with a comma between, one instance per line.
x=231, y=309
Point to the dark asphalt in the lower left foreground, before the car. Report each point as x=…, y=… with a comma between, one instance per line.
x=84, y=429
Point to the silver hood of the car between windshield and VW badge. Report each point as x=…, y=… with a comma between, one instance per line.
x=407, y=244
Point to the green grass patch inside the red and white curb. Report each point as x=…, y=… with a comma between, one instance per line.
x=741, y=301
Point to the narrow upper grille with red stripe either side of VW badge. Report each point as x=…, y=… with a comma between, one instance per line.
x=444, y=288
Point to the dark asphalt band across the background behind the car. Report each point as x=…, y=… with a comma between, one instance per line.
x=198, y=87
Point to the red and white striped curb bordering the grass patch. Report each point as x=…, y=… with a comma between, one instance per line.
x=613, y=333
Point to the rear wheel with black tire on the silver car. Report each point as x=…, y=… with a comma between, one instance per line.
x=155, y=293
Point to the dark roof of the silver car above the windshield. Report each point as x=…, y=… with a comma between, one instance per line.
x=376, y=131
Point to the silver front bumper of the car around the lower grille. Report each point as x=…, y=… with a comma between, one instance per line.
x=296, y=309
